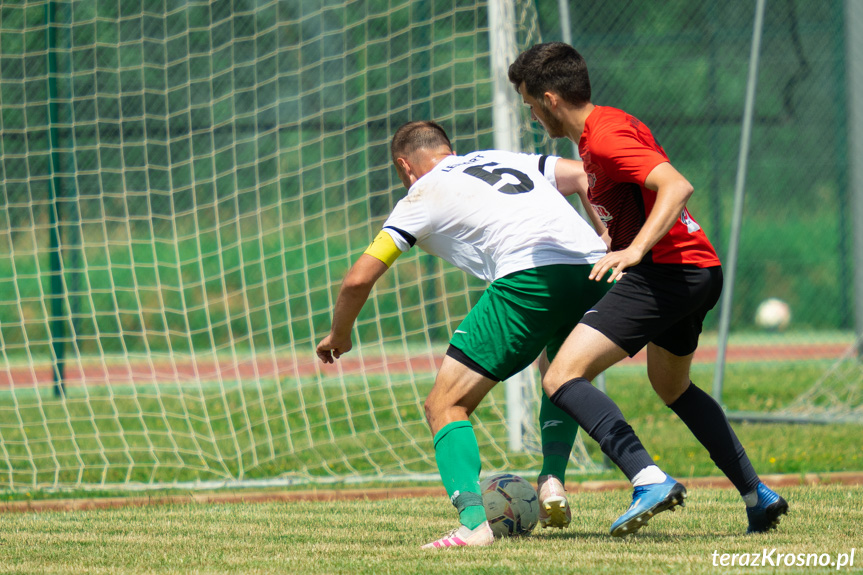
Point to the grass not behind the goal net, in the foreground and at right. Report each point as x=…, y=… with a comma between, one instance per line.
x=384, y=536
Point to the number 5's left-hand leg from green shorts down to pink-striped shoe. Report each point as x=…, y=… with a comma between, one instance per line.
x=501, y=335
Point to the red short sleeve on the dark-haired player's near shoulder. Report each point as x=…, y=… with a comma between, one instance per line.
x=627, y=154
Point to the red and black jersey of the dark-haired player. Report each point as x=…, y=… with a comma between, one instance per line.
x=619, y=152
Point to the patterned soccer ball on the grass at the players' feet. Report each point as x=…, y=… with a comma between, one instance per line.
x=511, y=505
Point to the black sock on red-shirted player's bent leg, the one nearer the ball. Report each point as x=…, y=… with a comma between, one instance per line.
x=597, y=414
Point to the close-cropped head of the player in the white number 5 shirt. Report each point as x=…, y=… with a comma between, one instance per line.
x=414, y=145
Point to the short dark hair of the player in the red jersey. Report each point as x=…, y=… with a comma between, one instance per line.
x=555, y=67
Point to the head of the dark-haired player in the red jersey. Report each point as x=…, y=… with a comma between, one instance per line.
x=553, y=69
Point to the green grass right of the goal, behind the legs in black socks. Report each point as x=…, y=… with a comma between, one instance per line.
x=773, y=448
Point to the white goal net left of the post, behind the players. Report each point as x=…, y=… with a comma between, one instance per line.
x=183, y=188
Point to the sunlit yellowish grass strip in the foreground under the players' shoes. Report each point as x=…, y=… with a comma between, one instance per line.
x=384, y=537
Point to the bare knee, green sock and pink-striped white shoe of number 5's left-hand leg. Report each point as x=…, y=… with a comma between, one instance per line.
x=457, y=391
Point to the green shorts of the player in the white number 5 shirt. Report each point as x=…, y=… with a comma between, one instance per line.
x=520, y=314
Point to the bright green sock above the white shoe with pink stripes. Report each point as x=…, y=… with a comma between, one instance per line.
x=457, y=454
